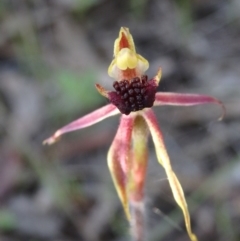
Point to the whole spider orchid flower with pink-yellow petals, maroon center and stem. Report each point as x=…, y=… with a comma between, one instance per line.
x=133, y=98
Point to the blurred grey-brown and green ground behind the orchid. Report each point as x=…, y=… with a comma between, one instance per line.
x=52, y=52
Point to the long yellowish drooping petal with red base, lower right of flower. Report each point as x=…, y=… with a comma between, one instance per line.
x=164, y=160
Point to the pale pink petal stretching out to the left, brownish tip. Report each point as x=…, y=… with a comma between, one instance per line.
x=85, y=121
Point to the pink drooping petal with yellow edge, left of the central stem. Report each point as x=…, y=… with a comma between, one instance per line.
x=119, y=159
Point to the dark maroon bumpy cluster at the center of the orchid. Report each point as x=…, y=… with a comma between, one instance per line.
x=133, y=95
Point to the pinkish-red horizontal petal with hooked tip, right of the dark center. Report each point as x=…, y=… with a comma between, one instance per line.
x=180, y=99
